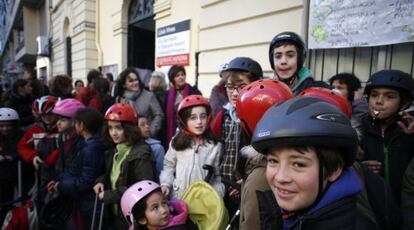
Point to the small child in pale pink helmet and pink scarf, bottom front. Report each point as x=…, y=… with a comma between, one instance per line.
x=145, y=207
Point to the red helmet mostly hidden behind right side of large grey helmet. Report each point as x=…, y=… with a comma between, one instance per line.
x=330, y=96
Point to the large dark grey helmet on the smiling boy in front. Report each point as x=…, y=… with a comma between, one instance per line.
x=306, y=121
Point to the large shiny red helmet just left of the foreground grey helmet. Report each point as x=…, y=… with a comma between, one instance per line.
x=255, y=98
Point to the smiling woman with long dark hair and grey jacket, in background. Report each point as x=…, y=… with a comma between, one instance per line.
x=130, y=89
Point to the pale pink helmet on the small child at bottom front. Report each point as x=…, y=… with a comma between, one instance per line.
x=133, y=195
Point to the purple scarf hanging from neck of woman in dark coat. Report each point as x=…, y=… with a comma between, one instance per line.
x=171, y=118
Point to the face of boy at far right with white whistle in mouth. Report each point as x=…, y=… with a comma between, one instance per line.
x=383, y=102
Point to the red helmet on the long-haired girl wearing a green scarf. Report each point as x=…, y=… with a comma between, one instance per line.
x=121, y=112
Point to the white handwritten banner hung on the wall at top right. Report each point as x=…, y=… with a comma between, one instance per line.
x=350, y=23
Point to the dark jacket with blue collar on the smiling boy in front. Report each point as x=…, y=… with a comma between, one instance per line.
x=337, y=209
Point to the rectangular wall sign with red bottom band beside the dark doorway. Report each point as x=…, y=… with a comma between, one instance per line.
x=173, y=44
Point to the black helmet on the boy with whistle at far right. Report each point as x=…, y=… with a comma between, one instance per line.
x=391, y=78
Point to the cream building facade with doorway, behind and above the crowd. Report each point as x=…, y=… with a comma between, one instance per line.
x=150, y=34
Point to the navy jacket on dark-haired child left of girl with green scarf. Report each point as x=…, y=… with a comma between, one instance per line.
x=78, y=181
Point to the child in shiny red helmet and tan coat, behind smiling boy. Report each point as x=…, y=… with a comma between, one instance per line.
x=252, y=103
